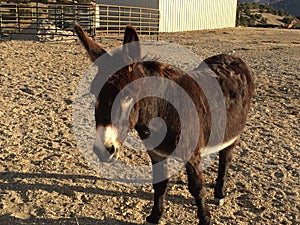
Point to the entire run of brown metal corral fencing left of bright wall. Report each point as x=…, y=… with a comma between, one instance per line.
x=58, y=19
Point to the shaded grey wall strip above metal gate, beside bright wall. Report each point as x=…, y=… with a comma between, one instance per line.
x=136, y=3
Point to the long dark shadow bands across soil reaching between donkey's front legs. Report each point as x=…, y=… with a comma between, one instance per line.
x=10, y=181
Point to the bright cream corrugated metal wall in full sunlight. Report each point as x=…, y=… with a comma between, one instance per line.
x=184, y=15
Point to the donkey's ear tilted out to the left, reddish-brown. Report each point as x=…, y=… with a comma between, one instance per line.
x=94, y=49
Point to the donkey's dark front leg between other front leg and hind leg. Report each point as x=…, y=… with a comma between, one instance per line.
x=197, y=189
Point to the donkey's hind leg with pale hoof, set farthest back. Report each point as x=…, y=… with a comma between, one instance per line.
x=225, y=157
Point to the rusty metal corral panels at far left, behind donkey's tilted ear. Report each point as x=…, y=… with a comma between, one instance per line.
x=45, y=19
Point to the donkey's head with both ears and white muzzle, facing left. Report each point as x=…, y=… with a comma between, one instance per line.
x=107, y=143
